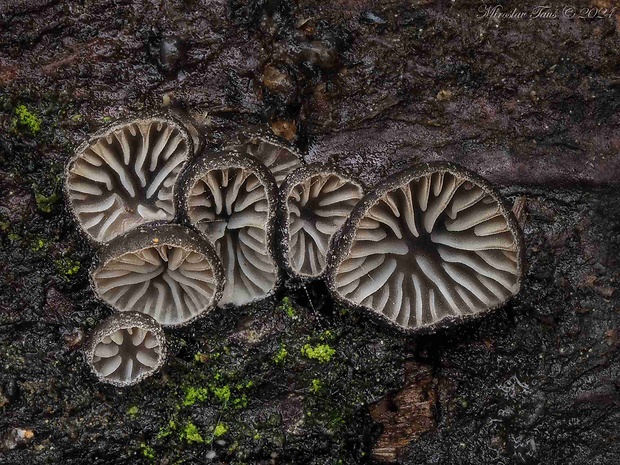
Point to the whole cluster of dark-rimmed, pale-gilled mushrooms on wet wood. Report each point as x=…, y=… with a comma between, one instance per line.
x=180, y=232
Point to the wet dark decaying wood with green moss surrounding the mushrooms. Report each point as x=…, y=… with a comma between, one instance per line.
x=532, y=104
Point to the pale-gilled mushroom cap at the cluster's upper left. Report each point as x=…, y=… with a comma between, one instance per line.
x=125, y=176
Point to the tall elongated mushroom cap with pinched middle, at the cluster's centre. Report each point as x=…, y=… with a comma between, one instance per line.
x=231, y=198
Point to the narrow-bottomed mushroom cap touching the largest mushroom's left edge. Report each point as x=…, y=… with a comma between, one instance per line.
x=315, y=201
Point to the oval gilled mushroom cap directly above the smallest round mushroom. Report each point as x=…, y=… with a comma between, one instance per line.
x=164, y=270
